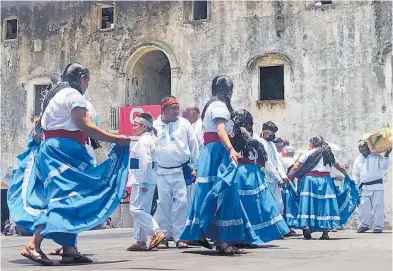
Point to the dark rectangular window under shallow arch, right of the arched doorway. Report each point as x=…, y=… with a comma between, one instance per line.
x=271, y=85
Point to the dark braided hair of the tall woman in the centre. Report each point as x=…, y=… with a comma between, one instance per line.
x=222, y=87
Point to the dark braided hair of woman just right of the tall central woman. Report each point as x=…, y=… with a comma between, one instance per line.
x=242, y=141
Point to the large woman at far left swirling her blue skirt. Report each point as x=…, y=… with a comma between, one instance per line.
x=63, y=192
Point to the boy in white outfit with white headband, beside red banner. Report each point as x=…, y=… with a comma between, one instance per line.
x=143, y=179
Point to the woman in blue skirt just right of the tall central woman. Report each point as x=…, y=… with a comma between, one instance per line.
x=262, y=220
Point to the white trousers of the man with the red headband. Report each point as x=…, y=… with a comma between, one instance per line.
x=172, y=205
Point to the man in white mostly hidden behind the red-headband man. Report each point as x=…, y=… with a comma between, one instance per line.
x=192, y=114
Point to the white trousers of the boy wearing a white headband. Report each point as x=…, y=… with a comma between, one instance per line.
x=140, y=205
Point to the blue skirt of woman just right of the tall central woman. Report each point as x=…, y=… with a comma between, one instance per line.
x=262, y=219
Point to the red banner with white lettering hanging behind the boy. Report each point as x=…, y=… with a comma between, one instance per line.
x=127, y=115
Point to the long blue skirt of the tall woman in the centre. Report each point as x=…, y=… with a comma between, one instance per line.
x=220, y=220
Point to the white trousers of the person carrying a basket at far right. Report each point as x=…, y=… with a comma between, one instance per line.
x=371, y=203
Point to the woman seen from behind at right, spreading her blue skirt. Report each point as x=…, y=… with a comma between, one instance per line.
x=321, y=205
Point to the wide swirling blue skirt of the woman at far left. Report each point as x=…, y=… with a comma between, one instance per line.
x=61, y=189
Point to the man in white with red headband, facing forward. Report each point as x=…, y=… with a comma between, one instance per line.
x=177, y=153
